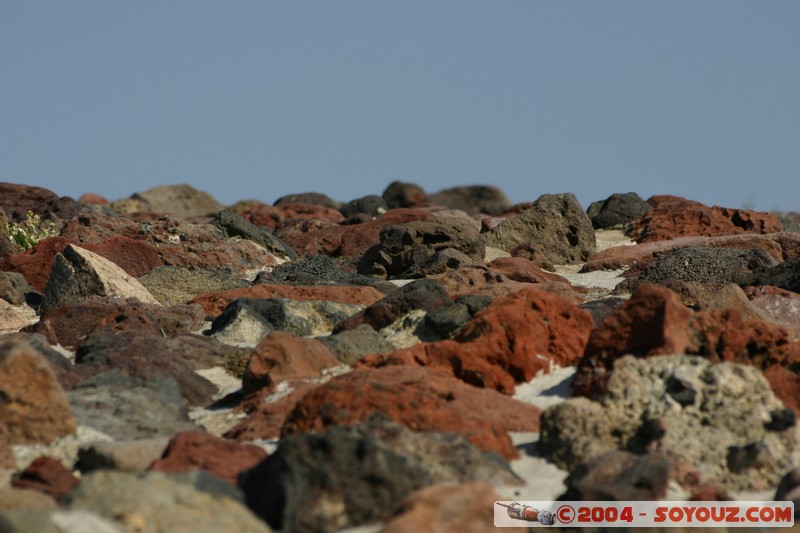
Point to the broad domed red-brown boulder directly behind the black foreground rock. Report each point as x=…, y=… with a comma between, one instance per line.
x=420, y=399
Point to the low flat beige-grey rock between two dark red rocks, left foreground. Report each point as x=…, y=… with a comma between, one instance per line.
x=125, y=456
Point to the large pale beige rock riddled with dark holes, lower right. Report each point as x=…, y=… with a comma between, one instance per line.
x=715, y=417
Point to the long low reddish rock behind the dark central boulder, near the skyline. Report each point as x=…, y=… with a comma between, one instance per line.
x=316, y=237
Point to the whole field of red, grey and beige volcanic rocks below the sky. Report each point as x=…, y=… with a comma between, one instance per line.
x=392, y=363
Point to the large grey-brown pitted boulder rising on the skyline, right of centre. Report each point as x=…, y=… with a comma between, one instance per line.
x=556, y=222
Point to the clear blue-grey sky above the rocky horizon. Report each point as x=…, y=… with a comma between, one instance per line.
x=258, y=99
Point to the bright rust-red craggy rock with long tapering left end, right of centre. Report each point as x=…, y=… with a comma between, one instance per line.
x=506, y=343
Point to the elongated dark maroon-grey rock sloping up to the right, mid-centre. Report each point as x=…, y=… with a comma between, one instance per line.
x=423, y=294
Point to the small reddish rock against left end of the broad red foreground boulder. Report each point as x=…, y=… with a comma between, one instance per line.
x=266, y=419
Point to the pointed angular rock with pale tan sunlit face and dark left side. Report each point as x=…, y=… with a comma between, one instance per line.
x=78, y=274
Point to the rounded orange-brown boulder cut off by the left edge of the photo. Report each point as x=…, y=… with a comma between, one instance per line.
x=33, y=406
